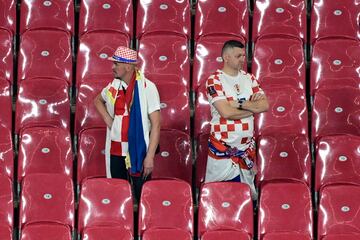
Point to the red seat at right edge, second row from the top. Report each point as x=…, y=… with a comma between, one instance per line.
x=334, y=66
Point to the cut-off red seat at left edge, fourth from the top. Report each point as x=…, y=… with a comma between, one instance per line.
x=6, y=152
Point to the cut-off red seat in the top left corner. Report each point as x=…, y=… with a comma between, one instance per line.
x=8, y=15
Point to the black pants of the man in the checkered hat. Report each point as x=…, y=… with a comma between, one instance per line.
x=118, y=170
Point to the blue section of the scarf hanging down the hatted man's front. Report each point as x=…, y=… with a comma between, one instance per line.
x=137, y=144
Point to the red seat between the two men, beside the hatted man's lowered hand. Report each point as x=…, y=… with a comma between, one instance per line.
x=174, y=159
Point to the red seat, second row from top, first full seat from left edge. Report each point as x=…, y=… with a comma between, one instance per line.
x=40, y=48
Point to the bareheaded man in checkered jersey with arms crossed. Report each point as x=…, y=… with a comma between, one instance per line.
x=235, y=97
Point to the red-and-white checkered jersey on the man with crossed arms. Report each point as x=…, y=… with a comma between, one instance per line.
x=220, y=86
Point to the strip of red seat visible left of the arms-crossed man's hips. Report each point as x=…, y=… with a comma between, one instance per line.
x=201, y=158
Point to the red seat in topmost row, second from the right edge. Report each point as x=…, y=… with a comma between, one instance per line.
x=279, y=17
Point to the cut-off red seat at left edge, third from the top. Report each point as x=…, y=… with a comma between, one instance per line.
x=6, y=104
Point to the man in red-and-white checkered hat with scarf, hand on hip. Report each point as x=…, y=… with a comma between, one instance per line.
x=130, y=107
